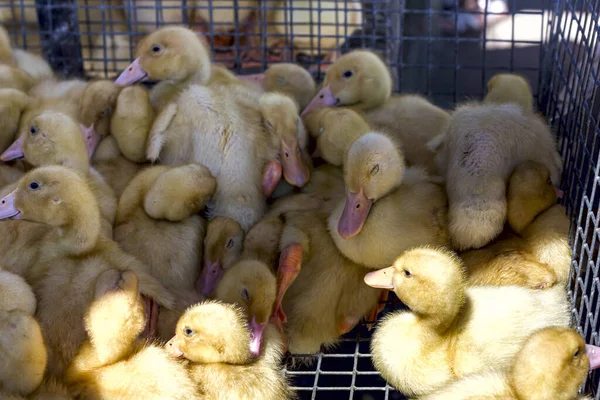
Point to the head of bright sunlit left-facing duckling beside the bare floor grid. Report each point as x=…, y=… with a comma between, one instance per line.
x=430, y=281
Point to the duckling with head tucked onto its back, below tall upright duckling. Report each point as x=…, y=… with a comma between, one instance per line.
x=159, y=206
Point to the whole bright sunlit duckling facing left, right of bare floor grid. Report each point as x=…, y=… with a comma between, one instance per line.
x=450, y=330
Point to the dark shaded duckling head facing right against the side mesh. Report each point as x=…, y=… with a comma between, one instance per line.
x=530, y=192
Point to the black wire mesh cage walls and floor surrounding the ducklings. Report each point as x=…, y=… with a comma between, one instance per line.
x=439, y=48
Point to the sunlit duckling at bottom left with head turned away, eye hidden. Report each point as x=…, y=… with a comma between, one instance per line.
x=113, y=362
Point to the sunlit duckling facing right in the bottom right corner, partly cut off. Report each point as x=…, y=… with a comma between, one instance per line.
x=552, y=364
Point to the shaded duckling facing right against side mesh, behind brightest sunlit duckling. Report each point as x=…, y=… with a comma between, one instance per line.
x=509, y=260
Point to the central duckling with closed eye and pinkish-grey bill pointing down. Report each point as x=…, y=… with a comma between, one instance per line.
x=388, y=208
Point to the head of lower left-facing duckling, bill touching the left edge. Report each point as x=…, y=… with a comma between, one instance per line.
x=52, y=195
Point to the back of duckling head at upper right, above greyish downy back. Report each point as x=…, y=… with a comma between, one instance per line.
x=510, y=88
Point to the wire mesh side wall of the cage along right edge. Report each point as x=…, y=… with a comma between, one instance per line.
x=571, y=104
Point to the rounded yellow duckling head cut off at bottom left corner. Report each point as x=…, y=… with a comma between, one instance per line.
x=23, y=353
